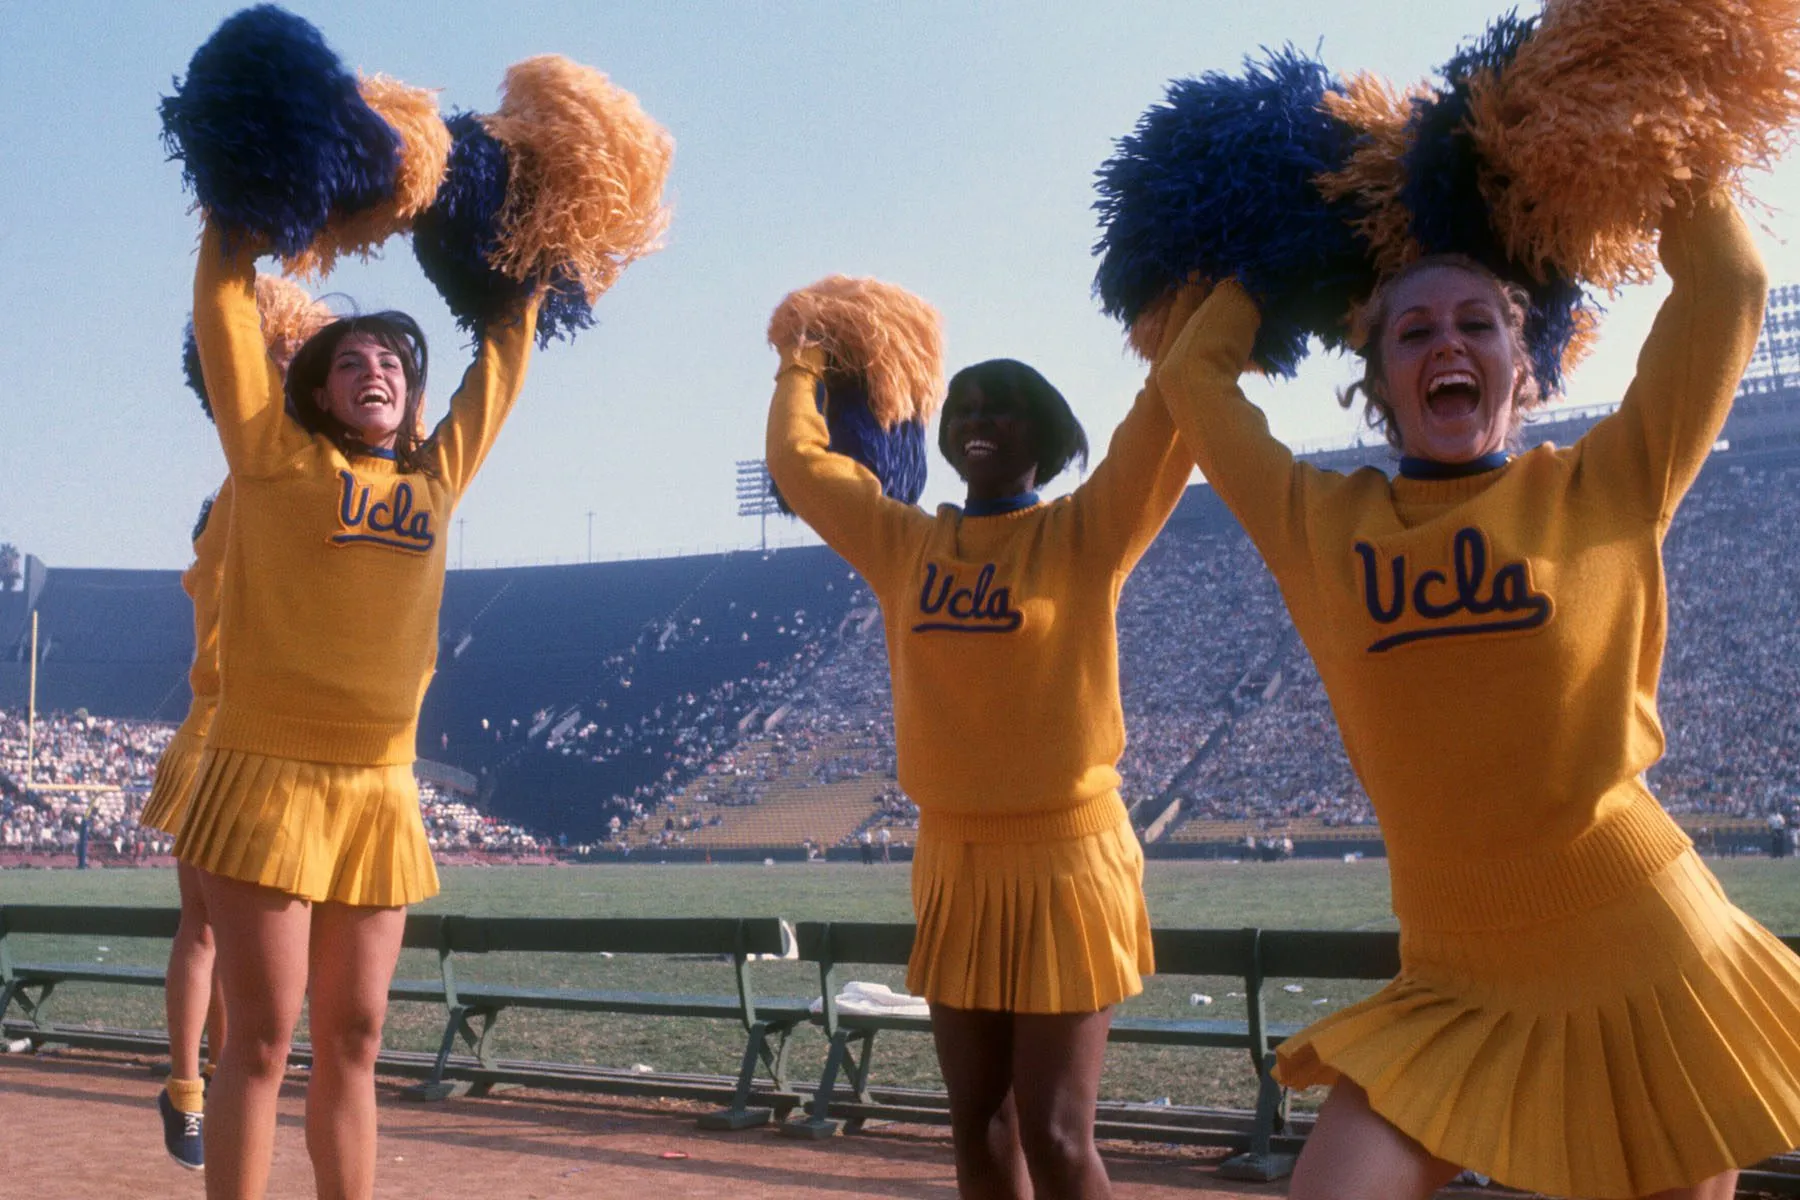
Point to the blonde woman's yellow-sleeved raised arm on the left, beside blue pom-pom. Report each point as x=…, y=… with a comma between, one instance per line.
x=1228, y=436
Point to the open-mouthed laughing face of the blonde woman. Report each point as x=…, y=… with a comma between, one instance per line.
x=1450, y=368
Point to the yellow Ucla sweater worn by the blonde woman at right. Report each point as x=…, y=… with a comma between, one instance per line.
x=1491, y=645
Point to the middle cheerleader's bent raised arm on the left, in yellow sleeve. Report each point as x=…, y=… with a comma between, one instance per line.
x=831, y=492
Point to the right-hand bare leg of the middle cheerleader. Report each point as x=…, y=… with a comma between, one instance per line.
x=1057, y=1066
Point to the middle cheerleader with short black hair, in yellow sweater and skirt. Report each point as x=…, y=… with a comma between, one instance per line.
x=1000, y=618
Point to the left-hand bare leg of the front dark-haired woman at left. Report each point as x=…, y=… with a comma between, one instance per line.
x=262, y=962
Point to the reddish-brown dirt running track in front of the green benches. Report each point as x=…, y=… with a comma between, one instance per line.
x=85, y=1125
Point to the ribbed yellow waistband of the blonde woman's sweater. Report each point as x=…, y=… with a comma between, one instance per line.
x=1470, y=895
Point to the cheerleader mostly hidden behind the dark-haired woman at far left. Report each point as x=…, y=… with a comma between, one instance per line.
x=192, y=992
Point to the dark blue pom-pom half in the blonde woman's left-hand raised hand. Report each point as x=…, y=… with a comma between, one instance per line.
x=1219, y=183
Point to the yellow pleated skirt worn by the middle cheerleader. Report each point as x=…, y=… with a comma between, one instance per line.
x=1030, y=915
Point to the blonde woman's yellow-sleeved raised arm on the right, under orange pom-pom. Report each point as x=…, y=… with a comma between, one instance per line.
x=1691, y=363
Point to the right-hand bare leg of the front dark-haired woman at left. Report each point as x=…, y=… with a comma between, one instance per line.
x=354, y=960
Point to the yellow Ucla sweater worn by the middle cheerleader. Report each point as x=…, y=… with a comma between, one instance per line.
x=1000, y=629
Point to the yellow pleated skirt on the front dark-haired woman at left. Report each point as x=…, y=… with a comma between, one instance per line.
x=321, y=832
